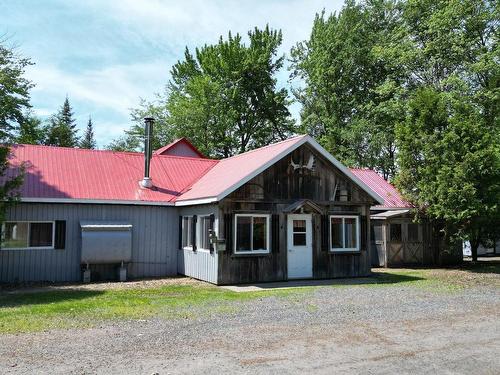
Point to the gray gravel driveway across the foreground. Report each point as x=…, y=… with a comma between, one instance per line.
x=351, y=329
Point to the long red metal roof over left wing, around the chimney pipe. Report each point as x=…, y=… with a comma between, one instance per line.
x=58, y=173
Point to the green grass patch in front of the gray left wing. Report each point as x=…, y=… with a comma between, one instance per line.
x=38, y=311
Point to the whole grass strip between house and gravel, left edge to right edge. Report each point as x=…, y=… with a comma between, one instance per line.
x=29, y=311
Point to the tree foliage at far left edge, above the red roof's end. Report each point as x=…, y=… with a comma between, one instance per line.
x=14, y=91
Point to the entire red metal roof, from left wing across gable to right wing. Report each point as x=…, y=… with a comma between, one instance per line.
x=78, y=174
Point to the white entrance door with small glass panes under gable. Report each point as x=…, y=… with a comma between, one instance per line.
x=299, y=246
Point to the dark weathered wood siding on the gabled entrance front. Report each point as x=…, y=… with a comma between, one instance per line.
x=272, y=192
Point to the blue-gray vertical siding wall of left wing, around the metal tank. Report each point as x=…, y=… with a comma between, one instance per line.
x=154, y=242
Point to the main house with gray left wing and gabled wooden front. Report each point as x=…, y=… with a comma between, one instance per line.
x=289, y=210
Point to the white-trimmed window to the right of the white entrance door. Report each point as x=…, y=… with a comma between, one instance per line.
x=344, y=233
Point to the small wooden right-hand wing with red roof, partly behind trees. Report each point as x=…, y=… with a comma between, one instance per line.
x=396, y=238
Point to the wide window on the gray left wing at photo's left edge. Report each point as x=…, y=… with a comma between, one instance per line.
x=28, y=235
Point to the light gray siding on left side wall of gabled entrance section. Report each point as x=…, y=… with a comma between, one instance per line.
x=200, y=264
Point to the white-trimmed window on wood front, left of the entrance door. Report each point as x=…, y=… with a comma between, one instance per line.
x=251, y=234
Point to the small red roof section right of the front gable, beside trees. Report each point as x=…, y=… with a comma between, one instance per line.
x=392, y=197
